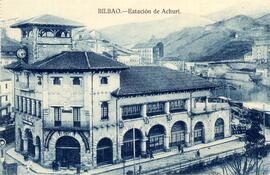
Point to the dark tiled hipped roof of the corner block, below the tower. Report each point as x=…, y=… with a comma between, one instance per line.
x=73, y=61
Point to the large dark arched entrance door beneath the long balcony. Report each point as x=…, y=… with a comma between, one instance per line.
x=68, y=151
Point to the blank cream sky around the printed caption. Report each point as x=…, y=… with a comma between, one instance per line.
x=86, y=11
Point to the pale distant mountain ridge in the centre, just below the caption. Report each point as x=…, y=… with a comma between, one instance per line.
x=132, y=33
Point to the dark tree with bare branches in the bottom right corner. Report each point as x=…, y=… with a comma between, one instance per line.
x=251, y=160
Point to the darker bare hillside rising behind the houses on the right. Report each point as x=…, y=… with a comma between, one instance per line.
x=223, y=40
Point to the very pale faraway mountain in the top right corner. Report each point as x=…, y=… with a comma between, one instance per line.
x=250, y=8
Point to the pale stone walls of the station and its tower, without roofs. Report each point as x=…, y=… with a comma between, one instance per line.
x=55, y=109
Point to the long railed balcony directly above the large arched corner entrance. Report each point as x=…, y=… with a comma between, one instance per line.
x=67, y=125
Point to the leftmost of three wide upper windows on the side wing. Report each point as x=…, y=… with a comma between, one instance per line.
x=131, y=111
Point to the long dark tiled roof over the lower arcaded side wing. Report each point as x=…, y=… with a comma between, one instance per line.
x=141, y=80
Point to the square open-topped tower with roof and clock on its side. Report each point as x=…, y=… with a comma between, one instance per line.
x=45, y=36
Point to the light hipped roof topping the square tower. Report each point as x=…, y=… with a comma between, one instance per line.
x=47, y=20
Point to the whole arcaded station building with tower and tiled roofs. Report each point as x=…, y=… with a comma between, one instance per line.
x=82, y=108
